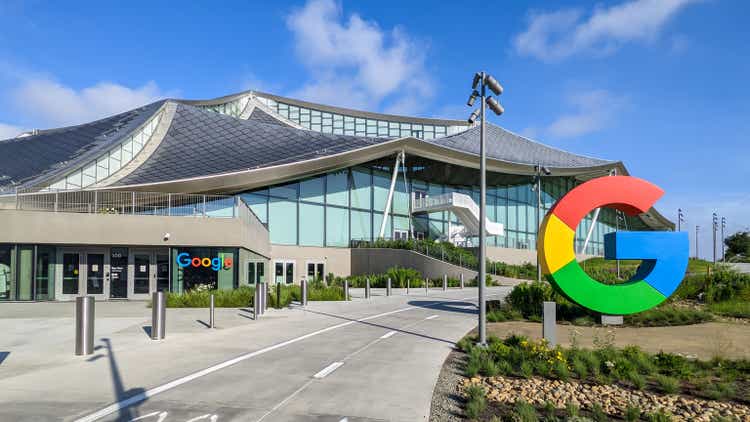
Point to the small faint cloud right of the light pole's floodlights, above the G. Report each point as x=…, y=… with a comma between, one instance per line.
x=593, y=111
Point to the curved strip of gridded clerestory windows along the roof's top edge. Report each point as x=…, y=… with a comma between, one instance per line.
x=341, y=124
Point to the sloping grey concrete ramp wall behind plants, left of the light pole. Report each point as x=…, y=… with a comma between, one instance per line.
x=375, y=260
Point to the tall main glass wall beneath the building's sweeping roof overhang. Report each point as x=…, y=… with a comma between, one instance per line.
x=335, y=208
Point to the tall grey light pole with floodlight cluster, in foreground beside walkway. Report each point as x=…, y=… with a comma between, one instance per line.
x=486, y=81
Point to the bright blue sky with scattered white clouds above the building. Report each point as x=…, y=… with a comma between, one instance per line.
x=662, y=85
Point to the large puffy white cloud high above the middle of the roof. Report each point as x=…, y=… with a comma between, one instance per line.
x=355, y=63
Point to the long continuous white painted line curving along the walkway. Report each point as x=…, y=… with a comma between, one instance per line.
x=202, y=373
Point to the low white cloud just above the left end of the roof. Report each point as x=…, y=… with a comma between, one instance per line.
x=50, y=103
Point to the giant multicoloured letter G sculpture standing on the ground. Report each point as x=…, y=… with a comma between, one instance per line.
x=664, y=254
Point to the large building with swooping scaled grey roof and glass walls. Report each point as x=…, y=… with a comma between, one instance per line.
x=254, y=186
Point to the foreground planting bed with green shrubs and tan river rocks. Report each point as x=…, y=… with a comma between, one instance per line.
x=524, y=380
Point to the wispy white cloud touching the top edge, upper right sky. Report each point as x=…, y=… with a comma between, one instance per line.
x=553, y=36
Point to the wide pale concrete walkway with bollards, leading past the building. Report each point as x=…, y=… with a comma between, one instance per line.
x=375, y=359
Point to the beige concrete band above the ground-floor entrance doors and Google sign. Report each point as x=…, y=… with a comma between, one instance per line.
x=132, y=230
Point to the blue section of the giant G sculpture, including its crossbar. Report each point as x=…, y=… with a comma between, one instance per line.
x=664, y=255
